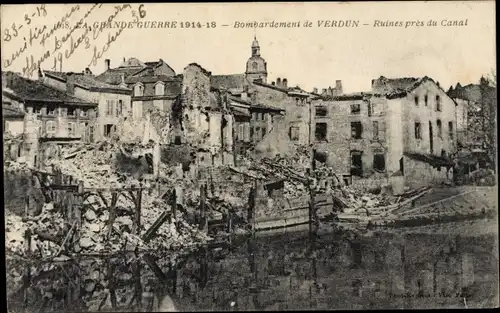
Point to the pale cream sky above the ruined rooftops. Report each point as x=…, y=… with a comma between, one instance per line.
x=307, y=56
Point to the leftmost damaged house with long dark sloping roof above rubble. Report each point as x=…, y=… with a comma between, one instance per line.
x=51, y=117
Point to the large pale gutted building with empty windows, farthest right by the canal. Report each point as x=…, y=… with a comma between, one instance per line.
x=400, y=132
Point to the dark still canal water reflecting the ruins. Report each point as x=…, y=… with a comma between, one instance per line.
x=418, y=268
